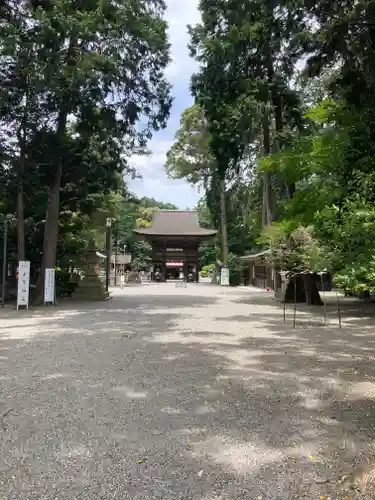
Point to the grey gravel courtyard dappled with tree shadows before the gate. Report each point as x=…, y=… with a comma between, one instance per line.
x=196, y=393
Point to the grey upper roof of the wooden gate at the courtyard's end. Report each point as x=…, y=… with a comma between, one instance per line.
x=175, y=223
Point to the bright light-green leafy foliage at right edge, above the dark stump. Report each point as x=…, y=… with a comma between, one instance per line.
x=333, y=168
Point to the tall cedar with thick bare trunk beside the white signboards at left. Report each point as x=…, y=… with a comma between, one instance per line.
x=96, y=58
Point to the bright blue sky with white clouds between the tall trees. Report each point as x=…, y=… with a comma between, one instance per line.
x=154, y=182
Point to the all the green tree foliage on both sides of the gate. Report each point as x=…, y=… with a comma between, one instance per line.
x=266, y=143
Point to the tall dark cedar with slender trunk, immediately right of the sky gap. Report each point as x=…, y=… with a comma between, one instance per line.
x=242, y=84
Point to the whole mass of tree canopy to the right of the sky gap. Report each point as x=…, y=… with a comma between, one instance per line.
x=284, y=113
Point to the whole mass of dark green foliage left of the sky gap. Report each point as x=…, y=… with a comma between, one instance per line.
x=86, y=81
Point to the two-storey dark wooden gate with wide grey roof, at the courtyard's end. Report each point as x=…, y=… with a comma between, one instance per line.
x=175, y=236
